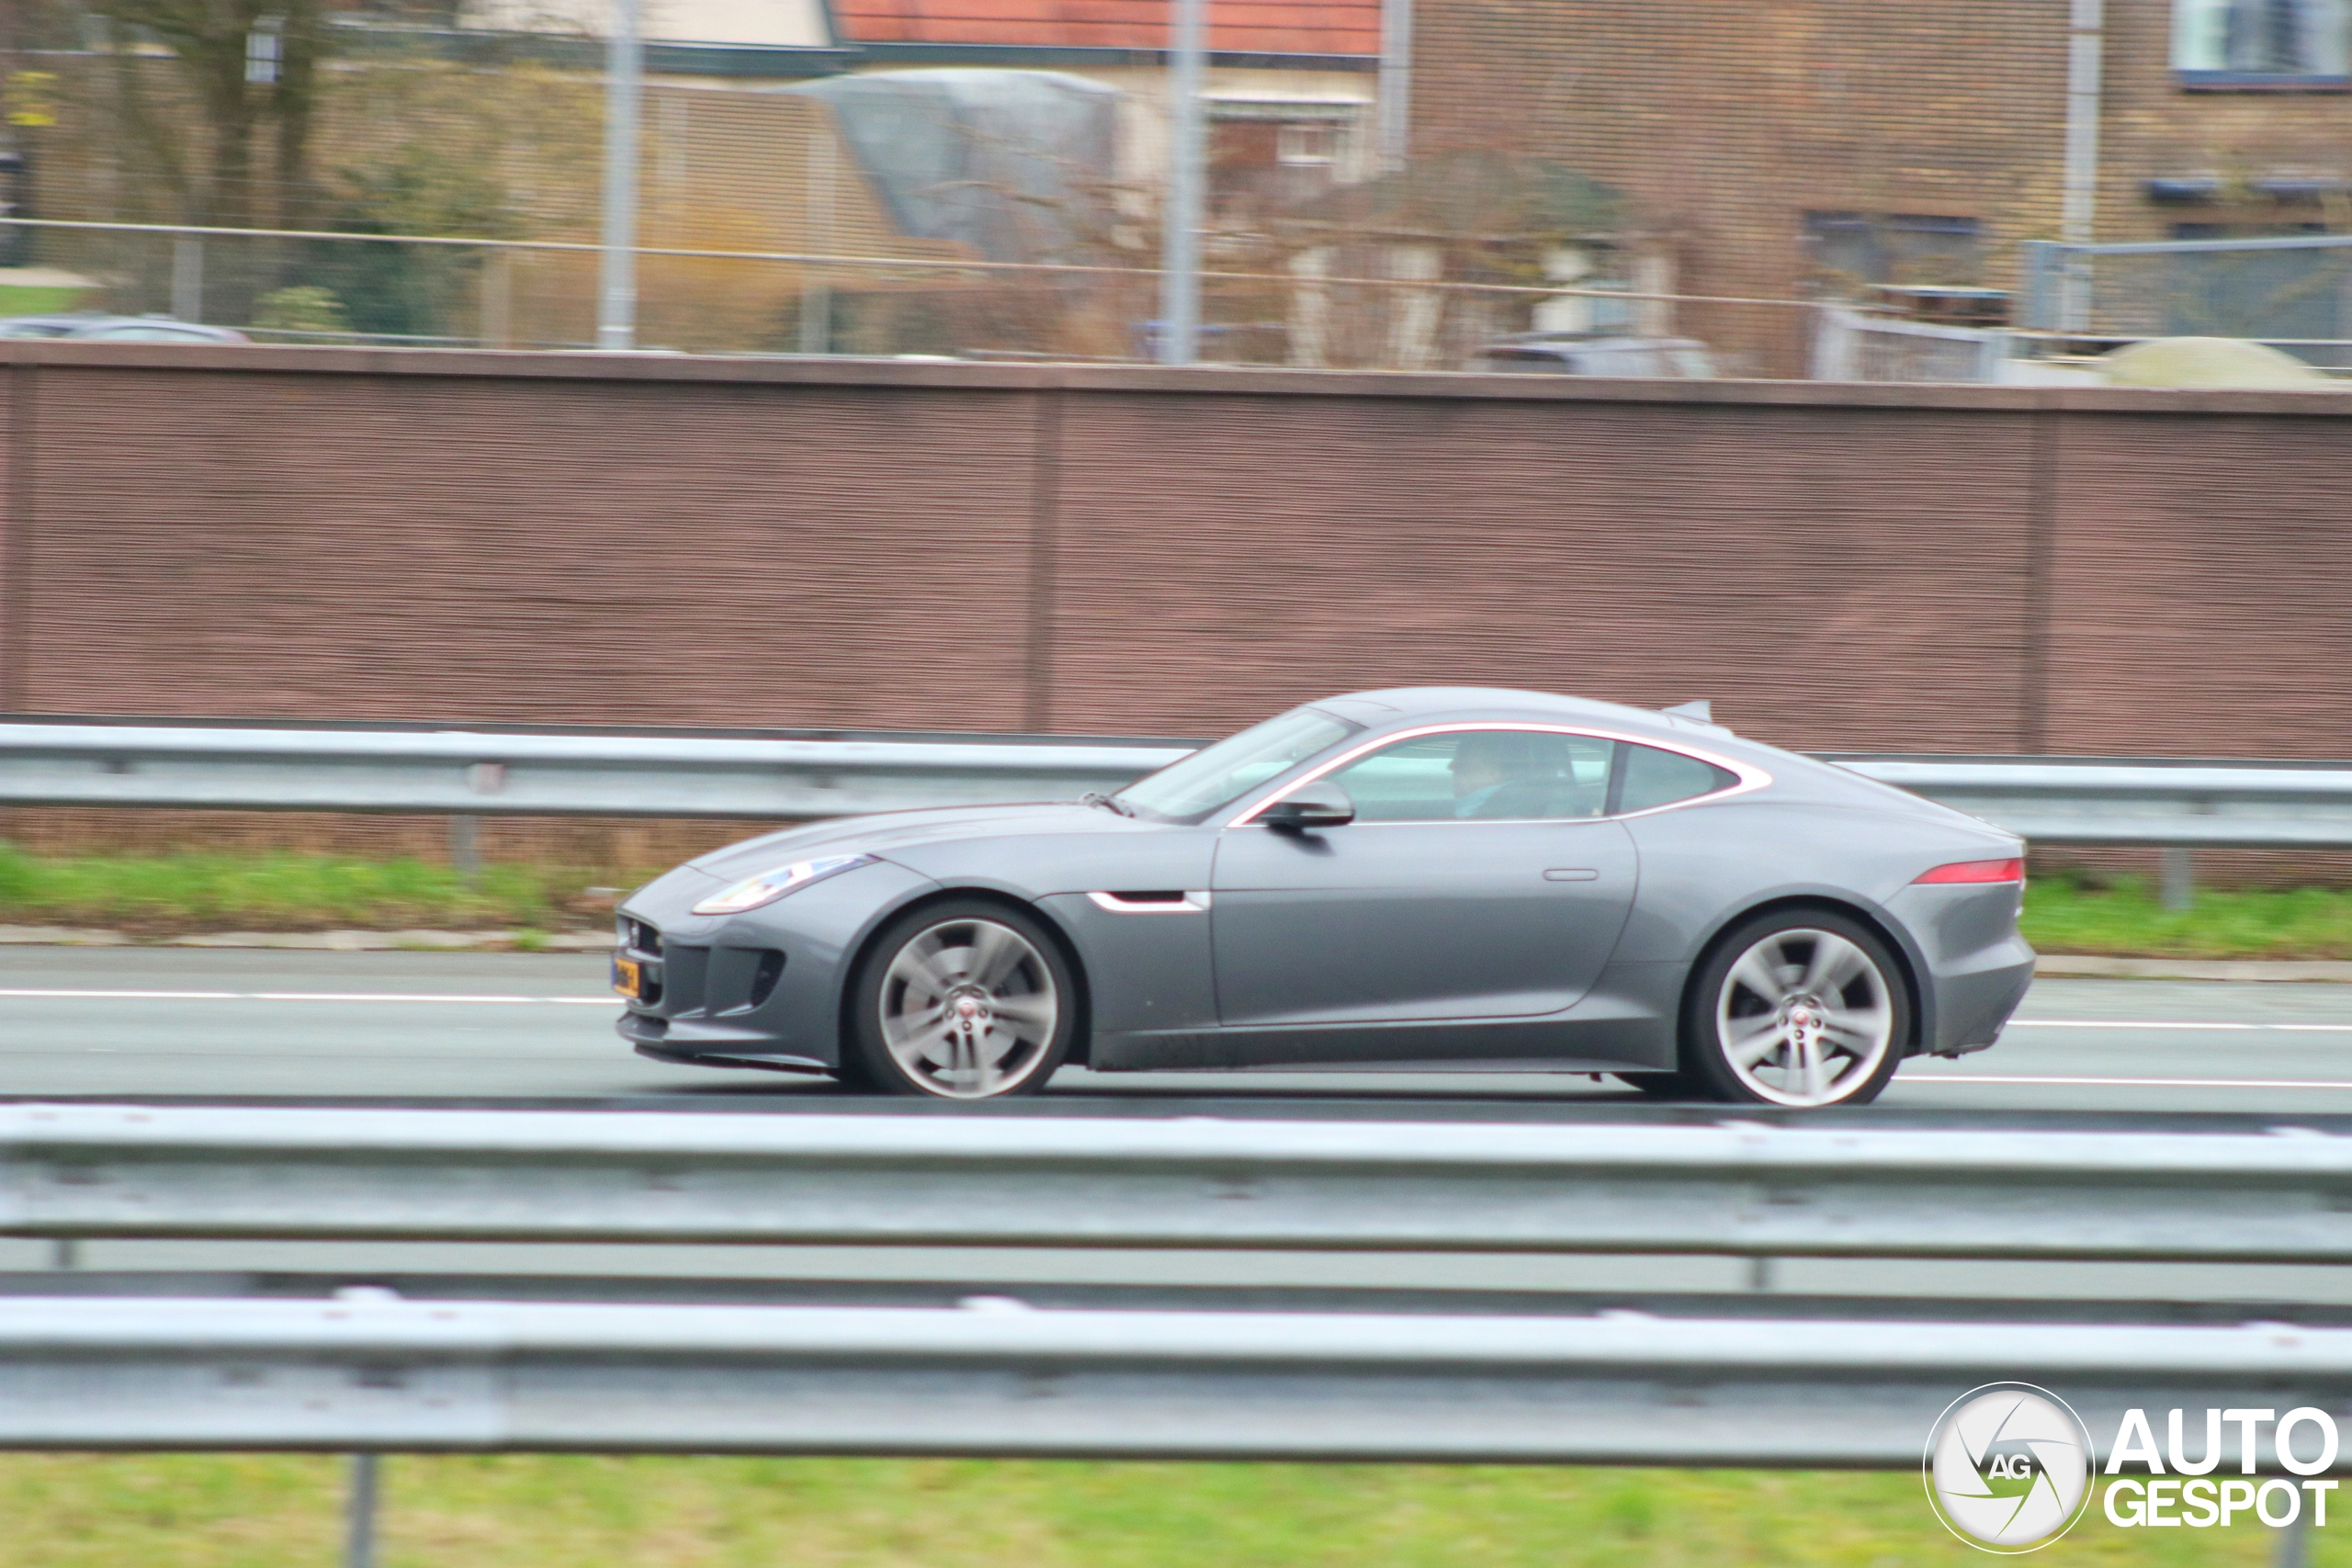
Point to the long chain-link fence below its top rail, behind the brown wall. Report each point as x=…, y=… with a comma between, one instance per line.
x=476, y=293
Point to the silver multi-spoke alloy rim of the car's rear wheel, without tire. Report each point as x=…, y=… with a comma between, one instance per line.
x=1805, y=1017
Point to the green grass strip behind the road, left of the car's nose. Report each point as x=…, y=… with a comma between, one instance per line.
x=222, y=892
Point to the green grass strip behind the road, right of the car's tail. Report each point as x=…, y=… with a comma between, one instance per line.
x=2066, y=916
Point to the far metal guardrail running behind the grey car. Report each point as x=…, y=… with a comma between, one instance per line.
x=2054, y=800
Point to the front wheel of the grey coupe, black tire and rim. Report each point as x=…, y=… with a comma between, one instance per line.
x=963, y=1000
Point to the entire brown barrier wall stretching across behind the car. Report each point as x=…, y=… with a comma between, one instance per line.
x=862, y=544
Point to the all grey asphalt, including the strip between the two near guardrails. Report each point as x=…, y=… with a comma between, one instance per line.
x=241, y=1024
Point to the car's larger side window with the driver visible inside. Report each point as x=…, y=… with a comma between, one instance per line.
x=1483, y=775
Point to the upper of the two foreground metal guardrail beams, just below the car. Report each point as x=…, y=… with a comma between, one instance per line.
x=1735, y=1188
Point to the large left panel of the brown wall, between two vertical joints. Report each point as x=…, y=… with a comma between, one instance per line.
x=512, y=551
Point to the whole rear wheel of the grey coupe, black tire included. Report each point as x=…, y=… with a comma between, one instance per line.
x=1798, y=1007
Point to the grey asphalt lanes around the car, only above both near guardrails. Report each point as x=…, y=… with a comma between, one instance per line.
x=173, y=1021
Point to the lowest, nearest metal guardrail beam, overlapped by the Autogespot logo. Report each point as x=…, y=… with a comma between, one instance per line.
x=998, y=1379
